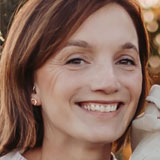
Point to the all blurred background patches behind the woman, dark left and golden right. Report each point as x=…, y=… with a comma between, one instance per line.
x=151, y=12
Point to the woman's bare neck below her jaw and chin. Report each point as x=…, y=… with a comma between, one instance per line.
x=68, y=148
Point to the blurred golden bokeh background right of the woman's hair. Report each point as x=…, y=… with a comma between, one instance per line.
x=151, y=12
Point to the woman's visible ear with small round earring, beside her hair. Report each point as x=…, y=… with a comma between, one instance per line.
x=35, y=99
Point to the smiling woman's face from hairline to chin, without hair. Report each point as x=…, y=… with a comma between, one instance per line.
x=90, y=89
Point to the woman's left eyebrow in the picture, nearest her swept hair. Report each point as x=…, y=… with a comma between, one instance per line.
x=78, y=43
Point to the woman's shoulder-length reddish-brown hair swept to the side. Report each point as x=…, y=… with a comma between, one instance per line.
x=39, y=30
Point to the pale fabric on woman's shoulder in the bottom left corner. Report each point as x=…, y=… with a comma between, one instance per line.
x=12, y=156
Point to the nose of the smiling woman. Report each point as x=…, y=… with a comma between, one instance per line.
x=105, y=79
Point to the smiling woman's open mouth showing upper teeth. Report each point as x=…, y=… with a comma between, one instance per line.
x=100, y=107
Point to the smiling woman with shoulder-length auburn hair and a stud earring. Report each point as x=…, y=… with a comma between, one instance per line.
x=73, y=77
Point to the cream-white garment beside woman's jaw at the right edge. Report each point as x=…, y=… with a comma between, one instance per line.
x=145, y=135
